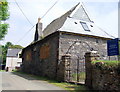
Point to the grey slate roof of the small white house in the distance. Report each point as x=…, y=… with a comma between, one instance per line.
x=13, y=52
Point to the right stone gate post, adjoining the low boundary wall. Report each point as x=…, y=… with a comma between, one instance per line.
x=89, y=57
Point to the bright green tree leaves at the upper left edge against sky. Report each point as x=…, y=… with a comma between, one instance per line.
x=4, y=15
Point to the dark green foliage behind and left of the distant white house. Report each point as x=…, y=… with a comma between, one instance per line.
x=5, y=48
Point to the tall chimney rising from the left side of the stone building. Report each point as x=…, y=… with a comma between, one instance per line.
x=38, y=32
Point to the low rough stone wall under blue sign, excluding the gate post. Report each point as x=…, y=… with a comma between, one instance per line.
x=106, y=79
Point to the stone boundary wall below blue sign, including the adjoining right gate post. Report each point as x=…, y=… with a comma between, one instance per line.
x=101, y=78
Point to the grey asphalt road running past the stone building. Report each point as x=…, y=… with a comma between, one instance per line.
x=13, y=81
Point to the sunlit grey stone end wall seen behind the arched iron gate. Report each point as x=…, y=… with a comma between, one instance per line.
x=78, y=50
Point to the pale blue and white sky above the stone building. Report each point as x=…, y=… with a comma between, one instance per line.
x=103, y=13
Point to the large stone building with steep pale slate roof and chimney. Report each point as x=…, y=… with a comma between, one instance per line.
x=73, y=33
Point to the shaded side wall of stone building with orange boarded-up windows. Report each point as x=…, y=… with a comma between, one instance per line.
x=41, y=57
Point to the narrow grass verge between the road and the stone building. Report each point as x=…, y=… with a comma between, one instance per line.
x=67, y=86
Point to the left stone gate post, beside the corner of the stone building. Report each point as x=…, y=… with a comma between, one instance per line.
x=63, y=73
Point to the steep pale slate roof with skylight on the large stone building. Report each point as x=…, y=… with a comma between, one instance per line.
x=76, y=20
